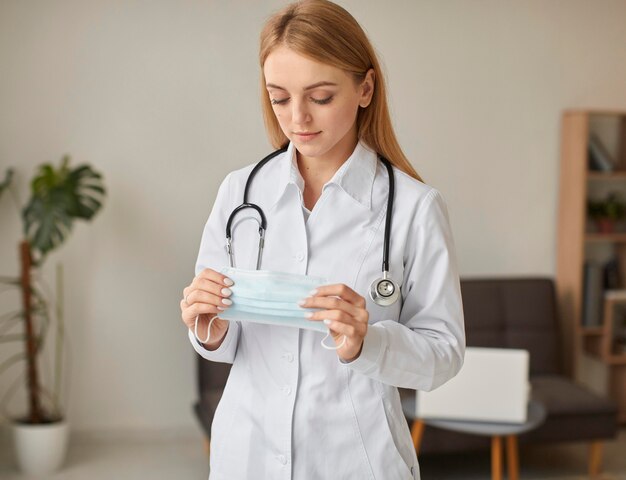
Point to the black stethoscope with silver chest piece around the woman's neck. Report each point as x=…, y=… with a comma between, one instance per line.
x=383, y=291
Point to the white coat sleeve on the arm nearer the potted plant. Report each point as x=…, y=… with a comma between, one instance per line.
x=212, y=254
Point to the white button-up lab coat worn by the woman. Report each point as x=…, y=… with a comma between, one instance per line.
x=291, y=409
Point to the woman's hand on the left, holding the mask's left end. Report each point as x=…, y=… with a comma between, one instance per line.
x=207, y=296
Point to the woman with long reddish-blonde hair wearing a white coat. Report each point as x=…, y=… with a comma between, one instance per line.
x=292, y=409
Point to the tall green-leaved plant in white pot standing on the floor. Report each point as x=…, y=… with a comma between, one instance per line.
x=59, y=196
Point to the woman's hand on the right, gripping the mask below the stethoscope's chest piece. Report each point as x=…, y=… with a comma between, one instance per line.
x=345, y=315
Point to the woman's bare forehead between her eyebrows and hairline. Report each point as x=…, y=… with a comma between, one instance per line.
x=289, y=69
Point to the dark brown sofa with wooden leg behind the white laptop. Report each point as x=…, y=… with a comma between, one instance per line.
x=522, y=313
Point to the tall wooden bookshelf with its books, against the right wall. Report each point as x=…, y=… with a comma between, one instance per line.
x=592, y=138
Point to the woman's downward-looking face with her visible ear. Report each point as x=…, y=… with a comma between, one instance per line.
x=316, y=104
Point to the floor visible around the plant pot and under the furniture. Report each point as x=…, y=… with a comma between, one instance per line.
x=184, y=457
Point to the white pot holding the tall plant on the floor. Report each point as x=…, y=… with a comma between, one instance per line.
x=40, y=449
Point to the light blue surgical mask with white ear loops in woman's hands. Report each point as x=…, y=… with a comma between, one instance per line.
x=270, y=297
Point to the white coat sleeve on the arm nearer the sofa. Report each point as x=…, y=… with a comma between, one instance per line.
x=425, y=348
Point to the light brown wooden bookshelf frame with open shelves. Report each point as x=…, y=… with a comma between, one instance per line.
x=576, y=242
